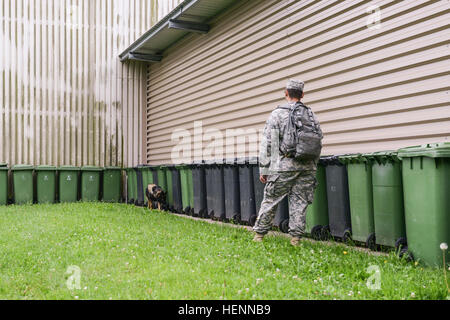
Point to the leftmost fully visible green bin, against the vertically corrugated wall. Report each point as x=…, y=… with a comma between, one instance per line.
x=22, y=183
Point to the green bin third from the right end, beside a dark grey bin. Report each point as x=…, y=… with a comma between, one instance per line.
x=359, y=168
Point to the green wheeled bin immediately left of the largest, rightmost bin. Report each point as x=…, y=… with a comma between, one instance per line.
x=388, y=211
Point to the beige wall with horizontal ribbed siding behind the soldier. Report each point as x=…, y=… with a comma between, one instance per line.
x=374, y=88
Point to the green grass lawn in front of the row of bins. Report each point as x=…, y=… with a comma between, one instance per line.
x=126, y=252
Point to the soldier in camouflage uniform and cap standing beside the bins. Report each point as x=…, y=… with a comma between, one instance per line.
x=285, y=175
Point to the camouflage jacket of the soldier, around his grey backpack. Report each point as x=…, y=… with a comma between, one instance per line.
x=270, y=159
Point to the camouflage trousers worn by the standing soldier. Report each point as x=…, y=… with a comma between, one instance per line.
x=299, y=187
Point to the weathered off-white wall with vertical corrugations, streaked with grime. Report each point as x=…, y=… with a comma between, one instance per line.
x=66, y=98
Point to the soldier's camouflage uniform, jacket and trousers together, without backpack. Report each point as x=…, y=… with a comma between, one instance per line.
x=286, y=177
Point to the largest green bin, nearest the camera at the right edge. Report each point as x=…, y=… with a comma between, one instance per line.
x=426, y=189
